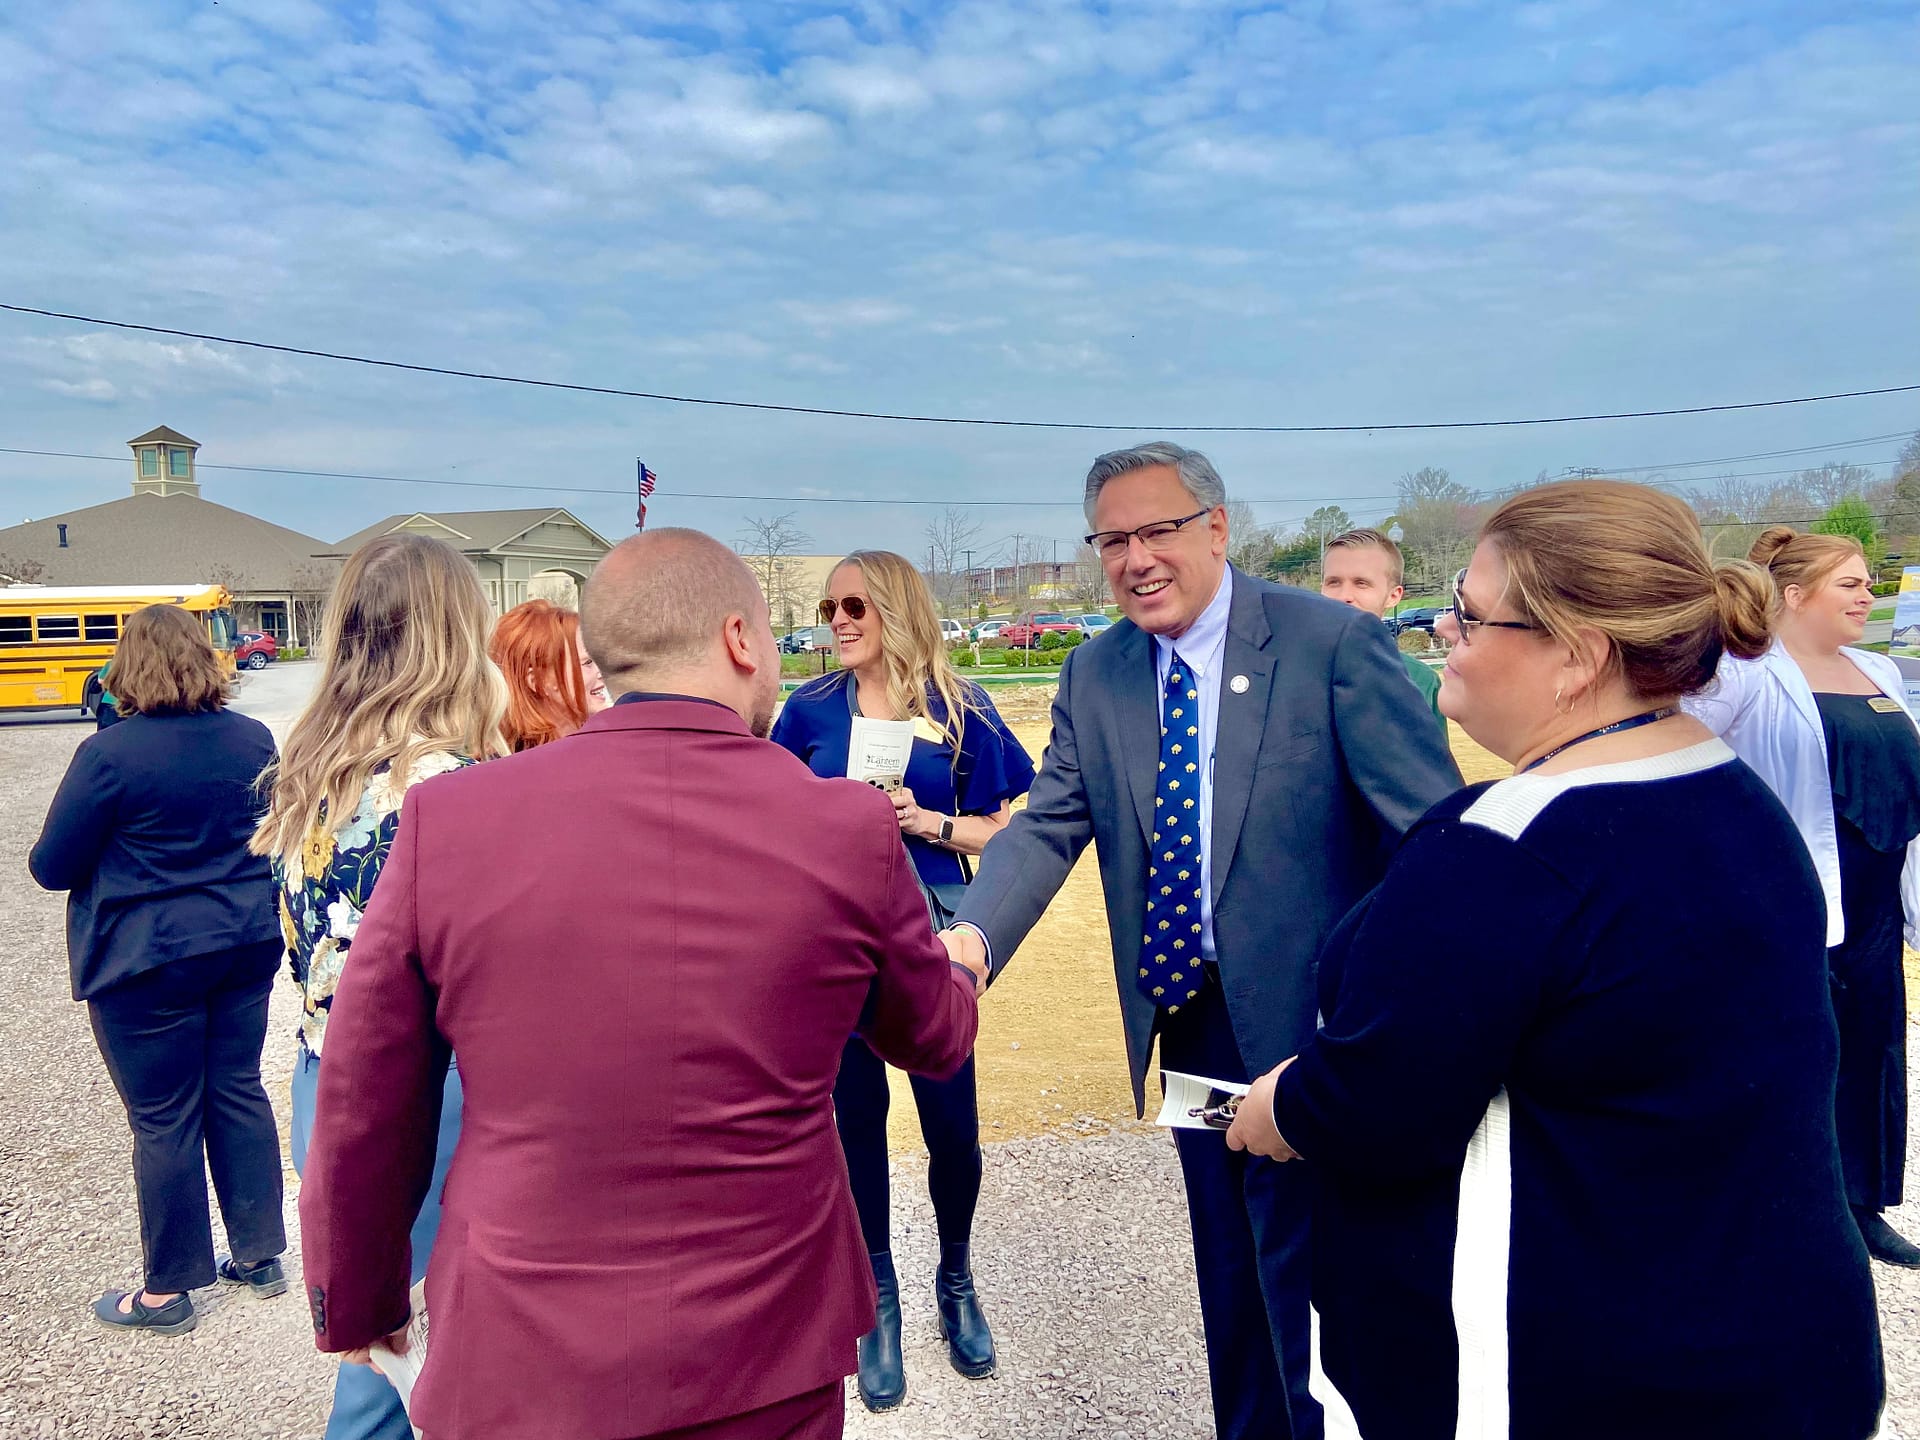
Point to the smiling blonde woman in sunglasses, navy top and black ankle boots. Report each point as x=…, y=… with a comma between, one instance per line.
x=961, y=780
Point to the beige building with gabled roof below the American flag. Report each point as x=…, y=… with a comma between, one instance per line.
x=521, y=556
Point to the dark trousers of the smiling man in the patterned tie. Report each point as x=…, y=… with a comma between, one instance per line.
x=1251, y=1249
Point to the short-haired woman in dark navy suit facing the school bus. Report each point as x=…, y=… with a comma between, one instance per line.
x=174, y=944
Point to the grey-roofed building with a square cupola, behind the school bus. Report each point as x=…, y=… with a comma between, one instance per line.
x=164, y=531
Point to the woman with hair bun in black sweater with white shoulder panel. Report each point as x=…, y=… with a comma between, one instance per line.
x=1572, y=1111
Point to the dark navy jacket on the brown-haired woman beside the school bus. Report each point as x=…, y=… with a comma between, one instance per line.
x=149, y=832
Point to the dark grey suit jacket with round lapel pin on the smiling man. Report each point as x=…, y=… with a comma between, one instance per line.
x=1322, y=763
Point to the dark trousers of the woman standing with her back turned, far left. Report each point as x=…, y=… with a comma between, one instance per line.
x=183, y=1047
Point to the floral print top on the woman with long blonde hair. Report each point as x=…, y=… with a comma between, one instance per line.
x=327, y=884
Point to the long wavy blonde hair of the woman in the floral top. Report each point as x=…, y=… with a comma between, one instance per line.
x=406, y=675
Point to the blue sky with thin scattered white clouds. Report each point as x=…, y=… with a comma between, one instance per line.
x=1145, y=214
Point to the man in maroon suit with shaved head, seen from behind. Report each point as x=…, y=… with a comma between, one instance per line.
x=648, y=946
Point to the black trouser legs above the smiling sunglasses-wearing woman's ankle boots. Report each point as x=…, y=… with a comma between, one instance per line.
x=949, y=1122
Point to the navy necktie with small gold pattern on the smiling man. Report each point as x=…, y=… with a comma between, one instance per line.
x=1170, y=949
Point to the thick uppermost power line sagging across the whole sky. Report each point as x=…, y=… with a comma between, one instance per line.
x=946, y=420
